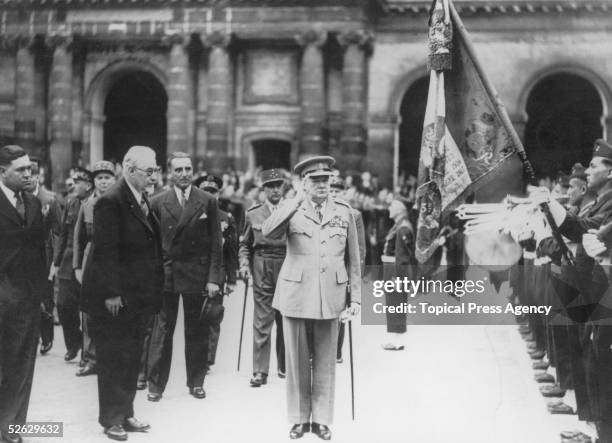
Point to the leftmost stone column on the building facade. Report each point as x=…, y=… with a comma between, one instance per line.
x=25, y=107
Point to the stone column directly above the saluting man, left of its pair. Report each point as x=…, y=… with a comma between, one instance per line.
x=312, y=91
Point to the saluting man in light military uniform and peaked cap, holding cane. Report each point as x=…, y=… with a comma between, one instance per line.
x=322, y=259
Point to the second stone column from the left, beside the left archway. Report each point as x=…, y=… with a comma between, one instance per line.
x=60, y=109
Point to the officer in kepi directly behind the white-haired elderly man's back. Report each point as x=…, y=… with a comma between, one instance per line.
x=104, y=177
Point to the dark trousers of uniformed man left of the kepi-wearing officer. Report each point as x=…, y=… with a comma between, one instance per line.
x=68, y=311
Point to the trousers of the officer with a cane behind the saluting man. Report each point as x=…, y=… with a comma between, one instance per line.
x=265, y=275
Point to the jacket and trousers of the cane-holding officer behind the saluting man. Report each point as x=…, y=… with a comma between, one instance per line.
x=265, y=257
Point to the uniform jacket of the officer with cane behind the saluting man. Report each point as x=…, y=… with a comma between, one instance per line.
x=253, y=239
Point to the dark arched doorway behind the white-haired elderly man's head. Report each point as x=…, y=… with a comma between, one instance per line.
x=135, y=114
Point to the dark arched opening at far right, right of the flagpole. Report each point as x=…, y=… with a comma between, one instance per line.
x=564, y=117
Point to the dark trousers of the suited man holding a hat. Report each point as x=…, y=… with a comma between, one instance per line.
x=196, y=342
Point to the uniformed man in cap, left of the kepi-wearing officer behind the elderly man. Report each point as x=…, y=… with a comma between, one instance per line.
x=69, y=289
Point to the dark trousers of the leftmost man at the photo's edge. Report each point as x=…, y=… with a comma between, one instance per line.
x=19, y=331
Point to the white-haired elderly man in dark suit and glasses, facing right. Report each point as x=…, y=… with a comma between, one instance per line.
x=123, y=279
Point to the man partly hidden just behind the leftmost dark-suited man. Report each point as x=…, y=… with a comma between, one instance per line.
x=52, y=218
